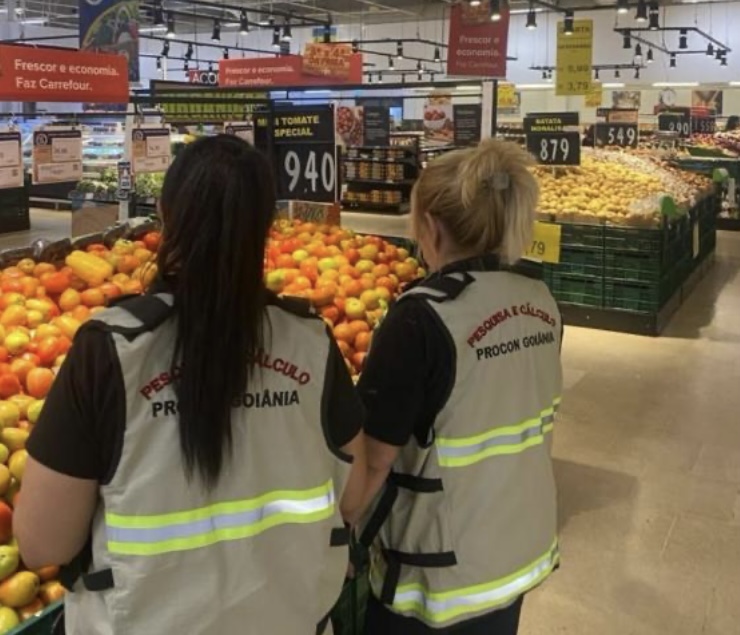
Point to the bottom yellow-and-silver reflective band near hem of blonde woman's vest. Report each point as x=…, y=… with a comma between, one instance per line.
x=441, y=607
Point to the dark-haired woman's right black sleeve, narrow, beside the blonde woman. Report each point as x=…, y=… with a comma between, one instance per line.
x=344, y=414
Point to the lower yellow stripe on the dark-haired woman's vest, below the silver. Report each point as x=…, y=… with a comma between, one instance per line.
x=217, y=535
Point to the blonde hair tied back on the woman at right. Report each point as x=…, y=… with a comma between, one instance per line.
x=486, y=198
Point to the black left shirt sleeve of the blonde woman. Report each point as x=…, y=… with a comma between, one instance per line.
x=407, y=375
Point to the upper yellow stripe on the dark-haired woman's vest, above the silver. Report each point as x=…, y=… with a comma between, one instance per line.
x=201, y=513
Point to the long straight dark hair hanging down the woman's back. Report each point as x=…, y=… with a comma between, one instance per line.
x=217, y=205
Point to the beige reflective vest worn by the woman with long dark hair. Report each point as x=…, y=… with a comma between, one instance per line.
x=265, y=550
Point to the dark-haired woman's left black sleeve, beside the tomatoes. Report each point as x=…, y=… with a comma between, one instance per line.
x=84, y=413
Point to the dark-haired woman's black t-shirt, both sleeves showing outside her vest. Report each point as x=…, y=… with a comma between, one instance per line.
x=84, y=416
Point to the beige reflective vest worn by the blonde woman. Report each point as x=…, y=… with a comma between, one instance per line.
x=467, y=521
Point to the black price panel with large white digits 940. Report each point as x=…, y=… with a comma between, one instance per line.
x=307, y=172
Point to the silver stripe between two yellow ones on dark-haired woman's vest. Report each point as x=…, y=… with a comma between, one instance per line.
x=221, y=521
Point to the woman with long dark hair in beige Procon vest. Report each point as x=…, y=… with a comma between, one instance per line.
x=190, y=459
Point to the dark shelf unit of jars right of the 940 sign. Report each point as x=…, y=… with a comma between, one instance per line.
x=379, y=179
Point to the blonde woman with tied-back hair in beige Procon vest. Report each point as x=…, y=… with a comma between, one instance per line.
x=461, y=387
